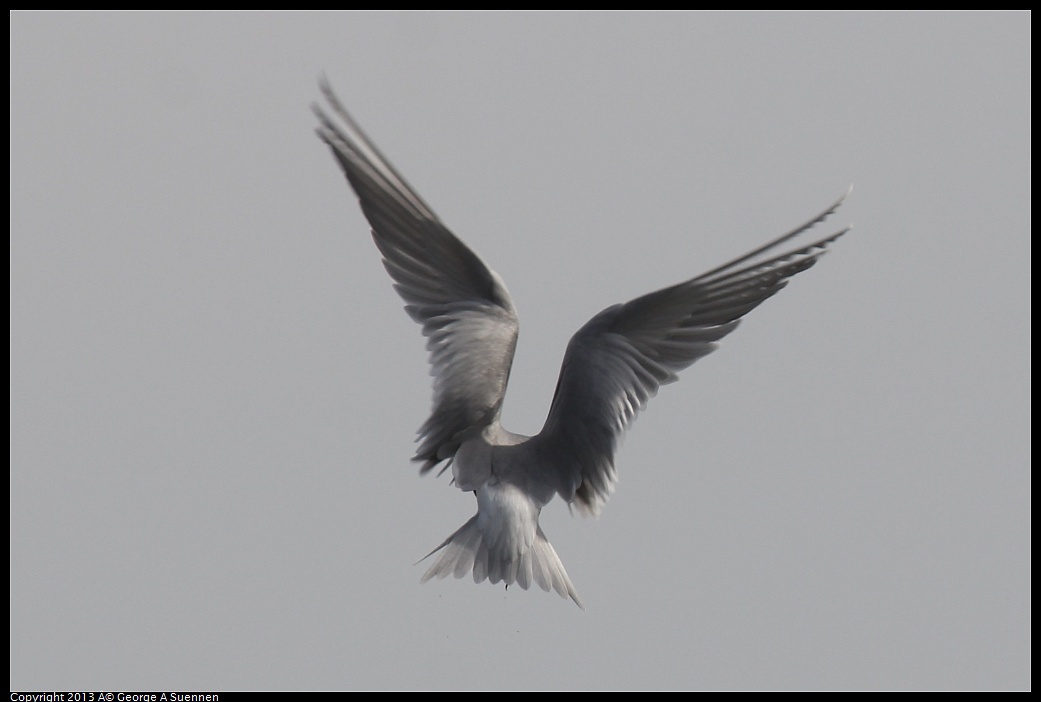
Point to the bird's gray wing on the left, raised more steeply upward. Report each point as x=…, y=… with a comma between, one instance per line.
x=466, y=312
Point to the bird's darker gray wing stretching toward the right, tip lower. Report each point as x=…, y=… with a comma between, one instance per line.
x=618, y=361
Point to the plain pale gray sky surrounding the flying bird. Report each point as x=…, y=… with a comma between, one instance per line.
x=215, y=390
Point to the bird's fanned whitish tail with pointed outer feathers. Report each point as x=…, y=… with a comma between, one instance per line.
x=469, y=549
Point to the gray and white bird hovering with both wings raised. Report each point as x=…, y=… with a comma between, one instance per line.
x=612, y=368
